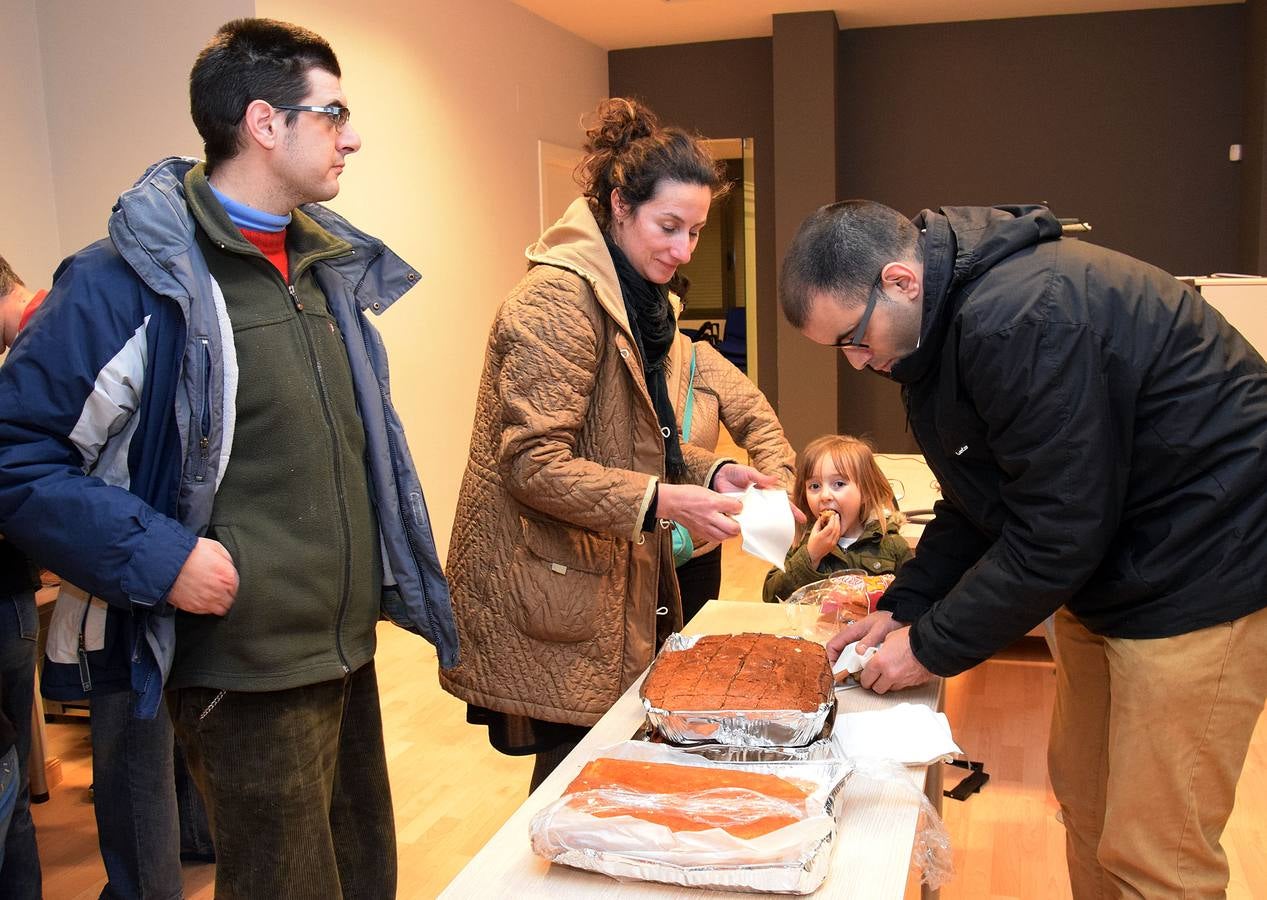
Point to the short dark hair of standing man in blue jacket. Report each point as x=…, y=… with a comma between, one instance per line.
x=251, y=60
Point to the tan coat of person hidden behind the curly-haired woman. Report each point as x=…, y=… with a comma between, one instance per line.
x=725, y=396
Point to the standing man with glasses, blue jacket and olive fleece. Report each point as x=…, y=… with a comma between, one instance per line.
x=215, y=456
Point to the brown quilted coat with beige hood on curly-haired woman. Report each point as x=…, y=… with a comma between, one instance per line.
x=554, y=584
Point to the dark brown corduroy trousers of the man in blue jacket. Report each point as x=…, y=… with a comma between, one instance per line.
x=297, y=789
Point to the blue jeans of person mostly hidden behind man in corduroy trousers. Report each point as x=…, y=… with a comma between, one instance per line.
x=141, y=816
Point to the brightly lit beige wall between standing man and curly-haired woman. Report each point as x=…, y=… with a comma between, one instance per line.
x=450, y=100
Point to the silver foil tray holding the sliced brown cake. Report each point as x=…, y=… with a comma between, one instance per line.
x=737, y=728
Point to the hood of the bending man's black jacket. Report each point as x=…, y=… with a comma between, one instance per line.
x=961, y=244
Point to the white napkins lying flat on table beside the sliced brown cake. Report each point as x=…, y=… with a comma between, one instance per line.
x=909, y=733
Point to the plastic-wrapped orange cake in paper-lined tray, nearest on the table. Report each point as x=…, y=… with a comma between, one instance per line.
x=651, y=813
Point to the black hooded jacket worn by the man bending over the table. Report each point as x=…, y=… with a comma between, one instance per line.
x=1100, y=438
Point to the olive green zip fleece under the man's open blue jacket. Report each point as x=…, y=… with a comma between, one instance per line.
x=293, y=508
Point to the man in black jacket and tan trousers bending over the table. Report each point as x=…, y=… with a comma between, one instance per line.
x=1100, y=438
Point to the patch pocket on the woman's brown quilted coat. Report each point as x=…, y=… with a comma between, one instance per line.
x=559, y=580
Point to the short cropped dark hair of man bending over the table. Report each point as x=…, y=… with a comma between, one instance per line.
x=839, y=250
